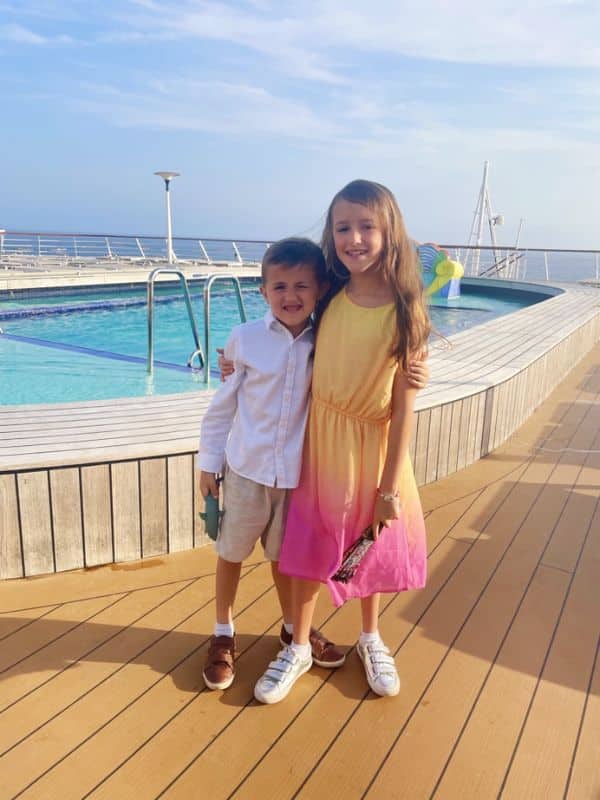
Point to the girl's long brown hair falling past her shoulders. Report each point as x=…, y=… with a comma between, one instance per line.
x=398, y=264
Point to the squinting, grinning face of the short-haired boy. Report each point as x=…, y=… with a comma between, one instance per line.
x=292, y=293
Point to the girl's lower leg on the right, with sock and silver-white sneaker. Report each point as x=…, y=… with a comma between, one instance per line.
x=380, y=668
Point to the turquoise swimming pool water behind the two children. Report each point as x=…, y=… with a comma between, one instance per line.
x=90, y=344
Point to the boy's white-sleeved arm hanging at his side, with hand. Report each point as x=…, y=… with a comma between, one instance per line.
x=218, y=419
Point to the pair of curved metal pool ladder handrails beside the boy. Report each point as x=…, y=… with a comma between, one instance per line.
x=199, y=352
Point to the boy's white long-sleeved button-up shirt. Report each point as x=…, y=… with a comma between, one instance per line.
x=256, y=419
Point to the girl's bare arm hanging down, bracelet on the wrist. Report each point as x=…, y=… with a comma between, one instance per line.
x=389, y=507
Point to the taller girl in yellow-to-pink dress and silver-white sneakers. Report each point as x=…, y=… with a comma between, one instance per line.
x=356, y=470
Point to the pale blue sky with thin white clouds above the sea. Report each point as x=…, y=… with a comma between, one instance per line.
x=268, y=107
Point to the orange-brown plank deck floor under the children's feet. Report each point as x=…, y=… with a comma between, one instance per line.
x=101, y=692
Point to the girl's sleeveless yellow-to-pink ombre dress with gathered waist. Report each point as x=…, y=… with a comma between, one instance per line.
x=343, y=458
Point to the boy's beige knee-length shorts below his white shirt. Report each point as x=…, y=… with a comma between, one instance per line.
x=251, y=512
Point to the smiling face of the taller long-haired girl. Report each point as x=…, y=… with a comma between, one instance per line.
x=357, y=236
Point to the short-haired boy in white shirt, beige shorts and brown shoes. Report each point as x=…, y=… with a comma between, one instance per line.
x=255, y=426
